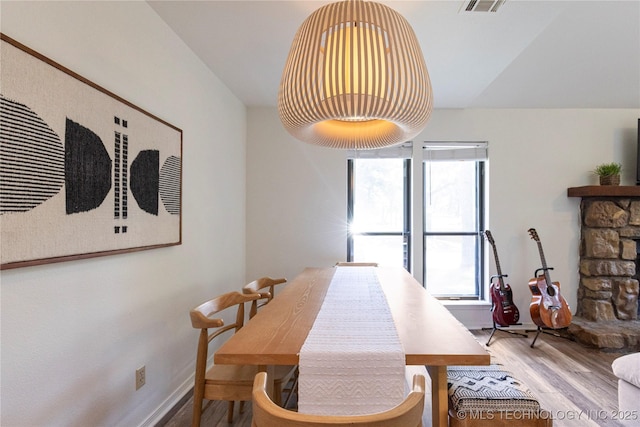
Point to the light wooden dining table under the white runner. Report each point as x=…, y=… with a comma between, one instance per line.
x=430, y=334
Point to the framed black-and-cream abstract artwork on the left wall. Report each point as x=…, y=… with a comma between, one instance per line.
x=83, y=172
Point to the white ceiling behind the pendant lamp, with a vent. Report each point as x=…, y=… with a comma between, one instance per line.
x=529, y=54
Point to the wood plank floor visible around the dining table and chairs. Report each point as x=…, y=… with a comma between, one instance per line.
x=574, y=383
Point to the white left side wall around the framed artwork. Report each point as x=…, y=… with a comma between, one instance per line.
x=74, y=333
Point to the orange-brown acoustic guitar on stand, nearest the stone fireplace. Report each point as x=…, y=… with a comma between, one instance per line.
x=548, y=308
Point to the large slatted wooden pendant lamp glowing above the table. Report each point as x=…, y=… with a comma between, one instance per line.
x=355, y=78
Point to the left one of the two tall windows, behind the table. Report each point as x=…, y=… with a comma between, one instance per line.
x=379, y=209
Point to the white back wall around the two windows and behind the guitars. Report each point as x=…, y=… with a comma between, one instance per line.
x=296, y=193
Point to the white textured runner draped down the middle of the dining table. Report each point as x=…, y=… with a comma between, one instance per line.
x=352, y=361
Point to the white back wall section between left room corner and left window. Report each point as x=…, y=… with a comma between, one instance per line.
x=296, y=200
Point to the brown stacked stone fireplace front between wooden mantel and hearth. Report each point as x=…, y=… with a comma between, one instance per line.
x=608, y=287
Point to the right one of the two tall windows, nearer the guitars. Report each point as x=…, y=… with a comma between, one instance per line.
x=453, y=182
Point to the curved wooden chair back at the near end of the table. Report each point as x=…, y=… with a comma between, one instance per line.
x=267, y=414
